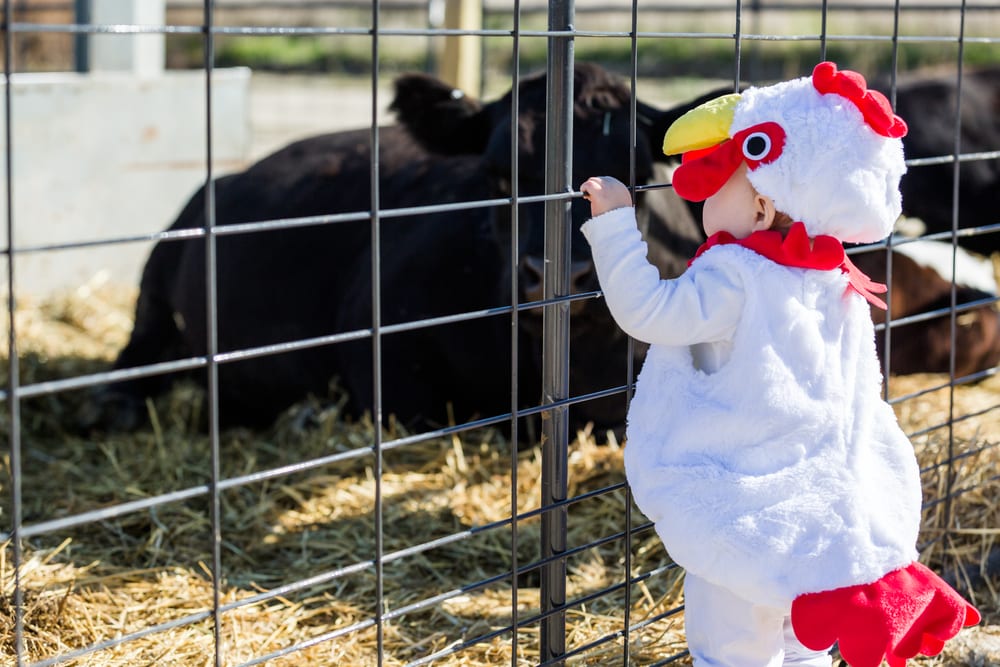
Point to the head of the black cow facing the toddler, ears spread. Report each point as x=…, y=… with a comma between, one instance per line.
x=446, y=121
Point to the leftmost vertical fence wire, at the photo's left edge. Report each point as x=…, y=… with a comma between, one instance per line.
x=13, y=377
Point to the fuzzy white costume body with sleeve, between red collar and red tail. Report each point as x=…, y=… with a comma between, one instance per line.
x=783, y=471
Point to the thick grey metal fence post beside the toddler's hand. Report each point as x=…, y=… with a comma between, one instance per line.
x=556, y=320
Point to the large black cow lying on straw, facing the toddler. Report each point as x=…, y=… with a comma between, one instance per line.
x=283, y=285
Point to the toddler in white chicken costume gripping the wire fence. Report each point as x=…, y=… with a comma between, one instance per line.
x=758, y=441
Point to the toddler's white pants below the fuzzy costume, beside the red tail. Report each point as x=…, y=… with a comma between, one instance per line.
x=724, y=630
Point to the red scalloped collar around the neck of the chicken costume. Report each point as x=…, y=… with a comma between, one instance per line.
x=796, y=249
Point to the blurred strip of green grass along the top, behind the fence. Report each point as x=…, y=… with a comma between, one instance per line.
x=761, y=60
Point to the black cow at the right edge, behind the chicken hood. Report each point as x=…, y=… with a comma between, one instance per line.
x=928, y=104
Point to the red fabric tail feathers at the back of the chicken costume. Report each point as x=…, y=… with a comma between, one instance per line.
x=906, y=612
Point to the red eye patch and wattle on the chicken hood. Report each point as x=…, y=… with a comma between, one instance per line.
x=704, y=171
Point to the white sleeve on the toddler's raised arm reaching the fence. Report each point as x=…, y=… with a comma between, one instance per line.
x=698, y=307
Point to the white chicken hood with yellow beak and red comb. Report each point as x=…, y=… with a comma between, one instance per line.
x=824, y=149
